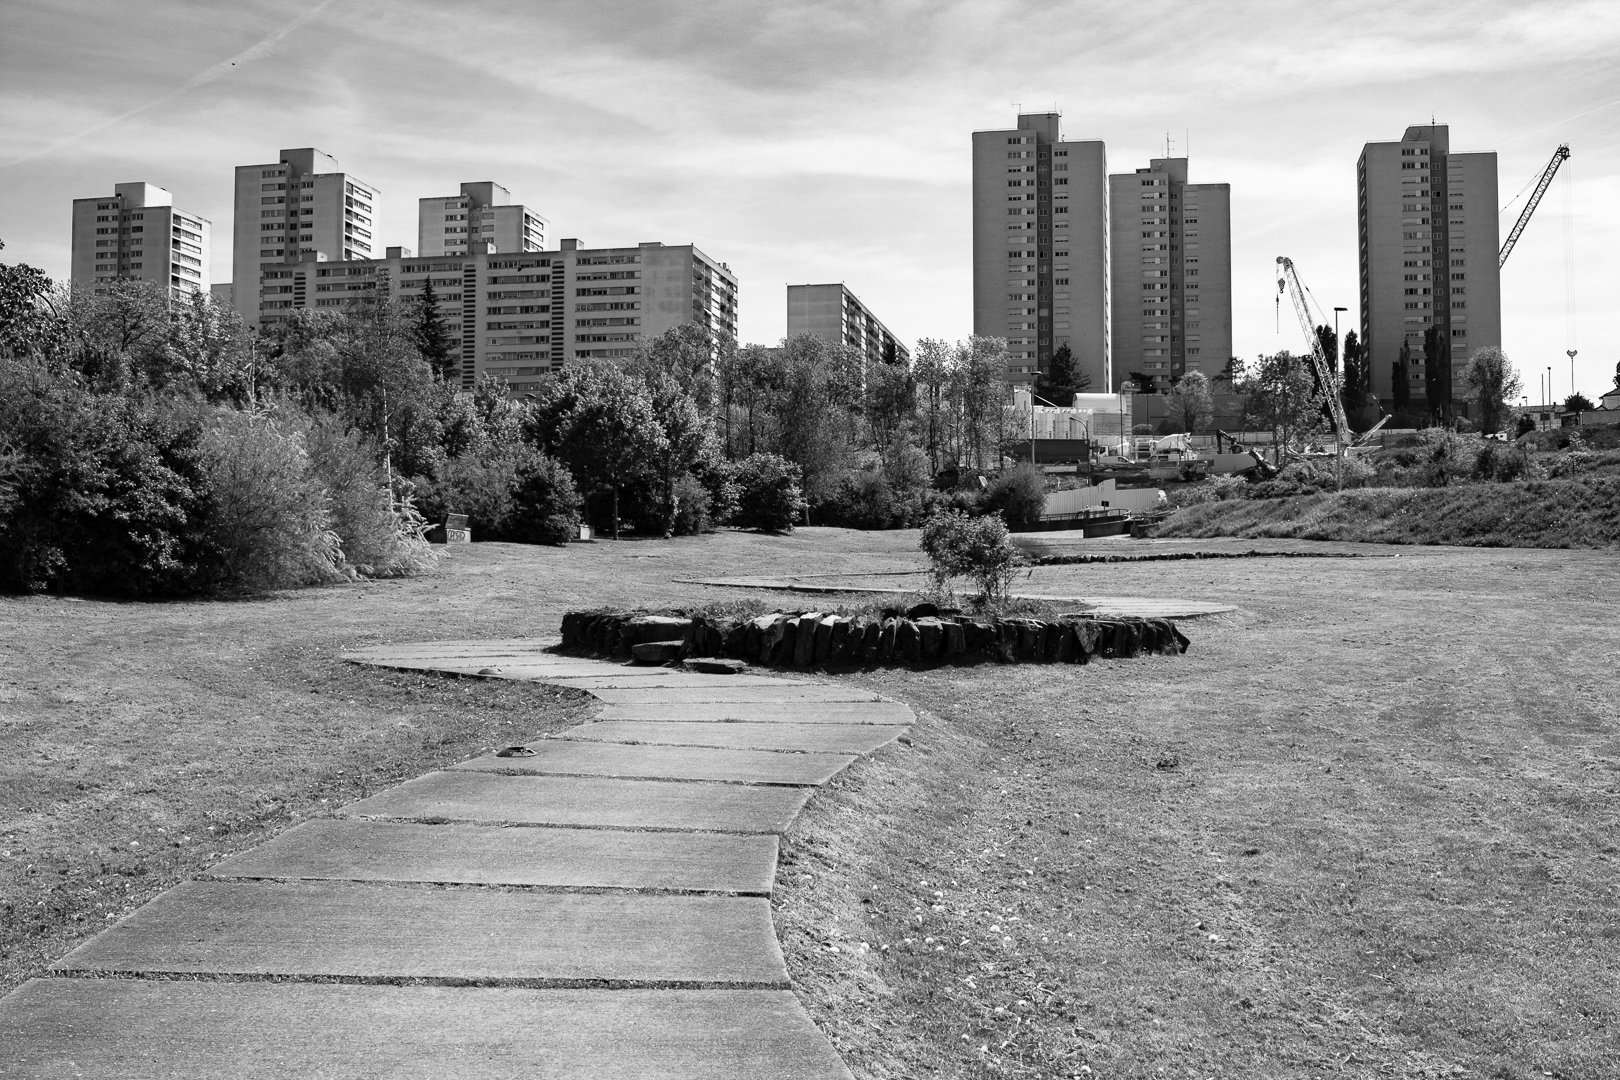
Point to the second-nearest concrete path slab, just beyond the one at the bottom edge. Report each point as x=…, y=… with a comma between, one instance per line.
x=318, y=929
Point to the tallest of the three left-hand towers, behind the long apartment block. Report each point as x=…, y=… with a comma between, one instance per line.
x=296, y=208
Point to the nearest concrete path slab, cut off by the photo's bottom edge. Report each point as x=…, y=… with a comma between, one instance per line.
x=189, y=1031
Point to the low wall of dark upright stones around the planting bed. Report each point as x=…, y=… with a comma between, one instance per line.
x=822, y=640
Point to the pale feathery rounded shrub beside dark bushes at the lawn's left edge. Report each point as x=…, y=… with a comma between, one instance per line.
x=273, y=516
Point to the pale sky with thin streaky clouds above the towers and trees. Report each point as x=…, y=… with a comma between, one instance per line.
x=824, y=142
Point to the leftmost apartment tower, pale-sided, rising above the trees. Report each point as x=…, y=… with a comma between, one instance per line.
x=137, y=234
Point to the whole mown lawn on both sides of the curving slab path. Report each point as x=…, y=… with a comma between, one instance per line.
x=1366, y=827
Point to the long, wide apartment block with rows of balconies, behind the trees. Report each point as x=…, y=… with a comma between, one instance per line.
x=522, y=315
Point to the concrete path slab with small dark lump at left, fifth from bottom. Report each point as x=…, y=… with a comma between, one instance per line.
x=668, y=763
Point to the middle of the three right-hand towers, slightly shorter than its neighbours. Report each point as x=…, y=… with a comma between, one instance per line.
x=1172, y=273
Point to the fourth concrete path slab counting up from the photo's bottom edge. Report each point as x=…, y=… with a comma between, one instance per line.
x=594, y=802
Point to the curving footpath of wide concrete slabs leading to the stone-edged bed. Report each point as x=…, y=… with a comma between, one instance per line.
x=597, y=911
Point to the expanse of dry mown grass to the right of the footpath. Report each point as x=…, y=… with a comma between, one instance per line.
x=1362, y=828
